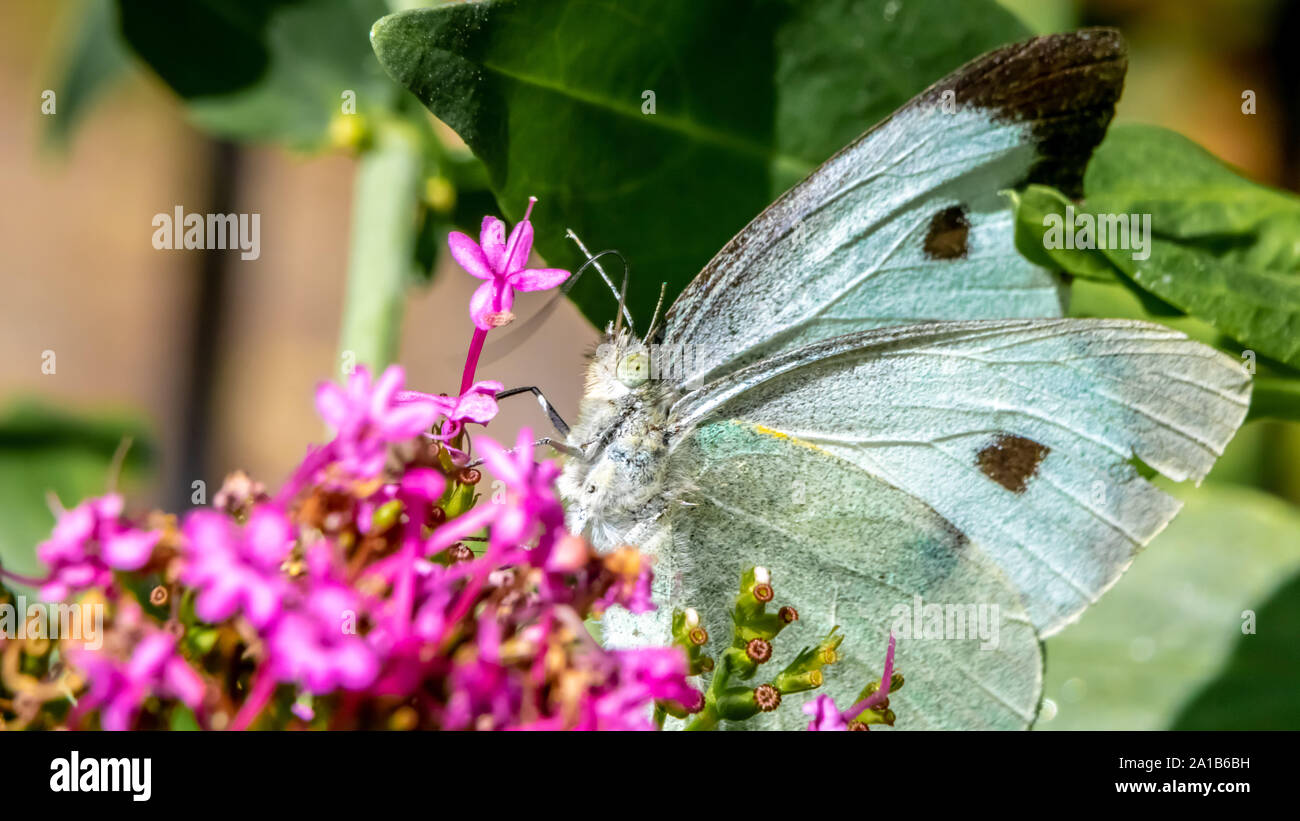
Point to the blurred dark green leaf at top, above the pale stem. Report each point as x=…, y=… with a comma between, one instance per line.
x=263, y=71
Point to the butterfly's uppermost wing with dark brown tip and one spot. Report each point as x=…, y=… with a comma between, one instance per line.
x=907, y=224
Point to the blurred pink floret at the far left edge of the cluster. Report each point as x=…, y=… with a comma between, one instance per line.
x=88, y=544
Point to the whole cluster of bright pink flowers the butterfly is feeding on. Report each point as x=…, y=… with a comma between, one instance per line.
x=375, y=589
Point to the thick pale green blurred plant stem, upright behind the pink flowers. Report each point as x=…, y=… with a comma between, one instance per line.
x=383, y=249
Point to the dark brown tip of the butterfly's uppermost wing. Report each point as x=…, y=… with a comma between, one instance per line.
x=1065, y=85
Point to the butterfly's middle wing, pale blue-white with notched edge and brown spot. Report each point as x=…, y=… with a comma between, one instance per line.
x=1021, y=435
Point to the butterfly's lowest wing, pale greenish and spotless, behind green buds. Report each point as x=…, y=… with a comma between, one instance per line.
x=848, y=550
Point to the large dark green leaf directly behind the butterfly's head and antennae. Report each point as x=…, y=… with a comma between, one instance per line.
x=556, y=98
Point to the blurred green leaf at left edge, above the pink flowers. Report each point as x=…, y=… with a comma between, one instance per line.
x=45, y=450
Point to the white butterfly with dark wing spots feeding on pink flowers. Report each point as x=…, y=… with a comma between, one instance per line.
x=870, y=393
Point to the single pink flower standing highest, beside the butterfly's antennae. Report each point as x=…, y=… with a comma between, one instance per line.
x=501, y=263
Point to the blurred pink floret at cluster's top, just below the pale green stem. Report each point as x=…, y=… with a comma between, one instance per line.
x=370, y=418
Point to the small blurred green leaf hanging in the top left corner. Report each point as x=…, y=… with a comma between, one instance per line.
x=92, y=62
